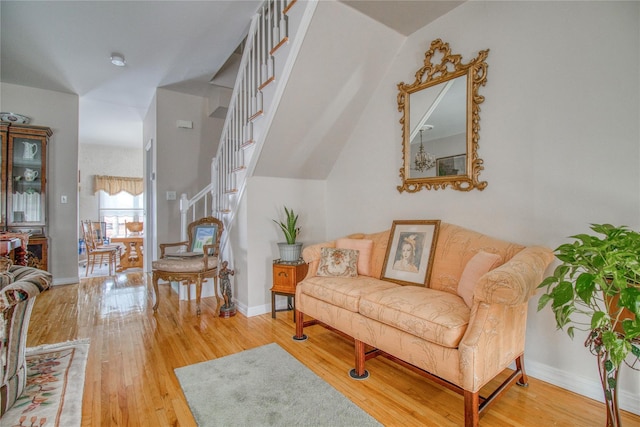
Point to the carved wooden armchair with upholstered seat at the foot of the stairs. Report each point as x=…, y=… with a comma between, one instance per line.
x=196, y=261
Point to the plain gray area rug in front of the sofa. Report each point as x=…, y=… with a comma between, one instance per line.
x=265, y=386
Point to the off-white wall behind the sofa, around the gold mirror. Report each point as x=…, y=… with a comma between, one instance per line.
x=559, y=137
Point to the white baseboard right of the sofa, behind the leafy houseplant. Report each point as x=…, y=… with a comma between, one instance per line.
x=580, y=385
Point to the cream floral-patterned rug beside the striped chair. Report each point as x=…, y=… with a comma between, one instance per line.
x=55, y=384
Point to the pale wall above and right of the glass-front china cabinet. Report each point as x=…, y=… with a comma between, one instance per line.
x=59, y=111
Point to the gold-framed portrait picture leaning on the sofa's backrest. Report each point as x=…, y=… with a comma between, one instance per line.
x=410, y=251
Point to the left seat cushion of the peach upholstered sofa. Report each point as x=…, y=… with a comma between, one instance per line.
x=342, y=291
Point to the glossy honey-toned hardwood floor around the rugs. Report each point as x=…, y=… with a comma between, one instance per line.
x=130, y=379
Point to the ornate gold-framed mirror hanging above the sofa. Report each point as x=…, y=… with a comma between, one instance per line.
x=441, y=122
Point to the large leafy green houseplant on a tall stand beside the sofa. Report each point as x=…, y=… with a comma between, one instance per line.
x=596, y=289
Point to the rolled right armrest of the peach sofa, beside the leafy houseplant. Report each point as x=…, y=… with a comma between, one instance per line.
x=515, y=281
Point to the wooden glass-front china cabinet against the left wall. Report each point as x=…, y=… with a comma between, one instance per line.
x=26, y=187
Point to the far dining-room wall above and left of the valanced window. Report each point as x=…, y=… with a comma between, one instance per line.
x=95, y=160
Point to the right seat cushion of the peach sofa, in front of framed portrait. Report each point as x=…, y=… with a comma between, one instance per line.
x=436, y=316
